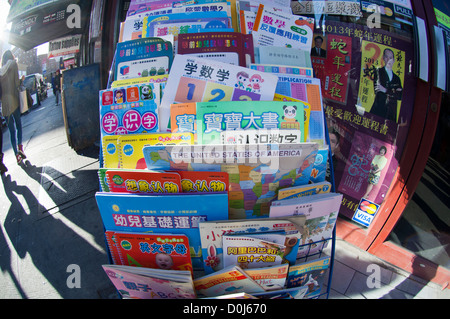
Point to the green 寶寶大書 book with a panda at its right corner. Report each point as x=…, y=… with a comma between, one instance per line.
x=216, y=117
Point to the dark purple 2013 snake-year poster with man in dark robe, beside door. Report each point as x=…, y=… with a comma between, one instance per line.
x=365, y=73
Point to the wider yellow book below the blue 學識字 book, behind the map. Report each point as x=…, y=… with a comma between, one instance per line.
x=130, y=147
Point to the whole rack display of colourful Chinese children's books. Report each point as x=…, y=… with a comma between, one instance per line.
x=213, y=161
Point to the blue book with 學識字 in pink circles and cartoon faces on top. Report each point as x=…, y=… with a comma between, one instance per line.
x=130, y=109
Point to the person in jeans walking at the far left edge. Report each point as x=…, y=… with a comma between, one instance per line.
x=9, y=81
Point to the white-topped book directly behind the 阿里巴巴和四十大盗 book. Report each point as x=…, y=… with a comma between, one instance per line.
x=211, y=234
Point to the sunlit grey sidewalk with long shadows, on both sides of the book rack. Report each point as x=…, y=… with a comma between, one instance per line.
x=50, y=225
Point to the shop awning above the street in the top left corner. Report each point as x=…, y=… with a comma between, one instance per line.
x=38, y=21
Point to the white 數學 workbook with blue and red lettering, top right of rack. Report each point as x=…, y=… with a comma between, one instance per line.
x=276, y=28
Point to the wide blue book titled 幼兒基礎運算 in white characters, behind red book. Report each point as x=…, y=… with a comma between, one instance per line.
x=173, y=214
